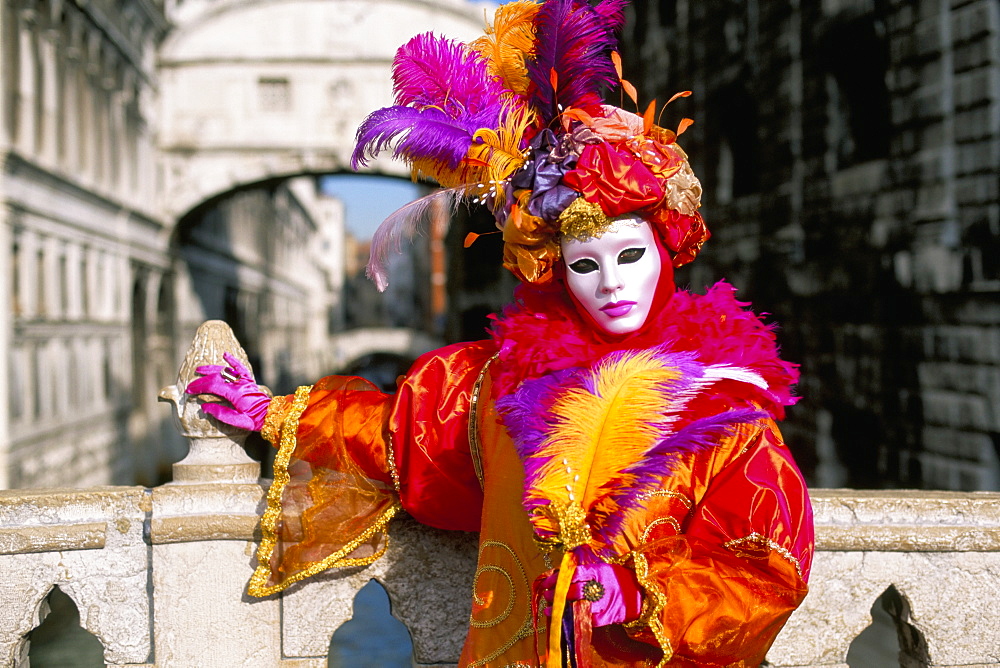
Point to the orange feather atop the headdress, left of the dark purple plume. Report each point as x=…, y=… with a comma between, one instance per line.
x=509, y=42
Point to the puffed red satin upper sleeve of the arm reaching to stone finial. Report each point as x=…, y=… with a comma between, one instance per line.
x=438, y=482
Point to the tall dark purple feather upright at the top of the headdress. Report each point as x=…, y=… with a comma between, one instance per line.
x=575, y=41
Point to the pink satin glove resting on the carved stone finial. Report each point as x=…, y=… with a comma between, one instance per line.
x=235, y=384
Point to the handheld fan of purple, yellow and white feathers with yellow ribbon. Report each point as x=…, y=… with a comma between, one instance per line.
x=594, y=441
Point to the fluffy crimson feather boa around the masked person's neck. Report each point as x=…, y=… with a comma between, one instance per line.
x=541, y=332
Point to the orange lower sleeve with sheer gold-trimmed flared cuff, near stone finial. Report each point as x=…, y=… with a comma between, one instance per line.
x=332, y=493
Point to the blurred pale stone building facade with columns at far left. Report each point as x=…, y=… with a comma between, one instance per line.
x=81, y=236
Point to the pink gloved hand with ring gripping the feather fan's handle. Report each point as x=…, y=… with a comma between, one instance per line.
x=613, y=592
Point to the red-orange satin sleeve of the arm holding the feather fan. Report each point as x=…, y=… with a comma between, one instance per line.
x=720, y=590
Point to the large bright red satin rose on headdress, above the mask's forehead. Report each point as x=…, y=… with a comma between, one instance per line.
x=615, y=179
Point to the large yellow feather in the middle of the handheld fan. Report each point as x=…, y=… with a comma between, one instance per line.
x=596, y=436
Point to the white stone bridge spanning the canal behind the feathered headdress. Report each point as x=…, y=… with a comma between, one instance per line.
x=266, y=89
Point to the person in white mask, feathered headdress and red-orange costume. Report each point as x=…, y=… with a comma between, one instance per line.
x=613, y=441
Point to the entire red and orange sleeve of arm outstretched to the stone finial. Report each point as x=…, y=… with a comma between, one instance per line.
x=348, y=454
